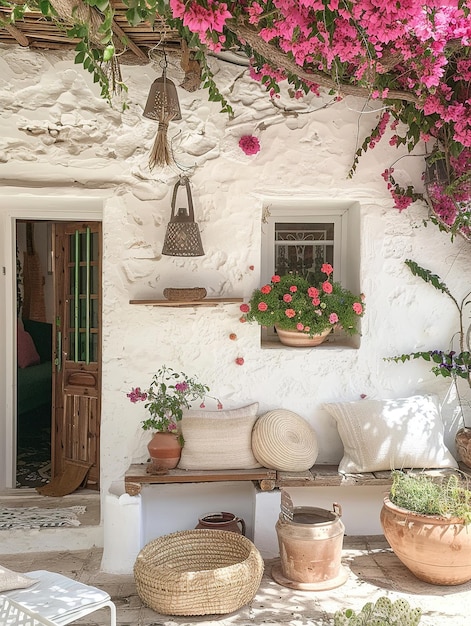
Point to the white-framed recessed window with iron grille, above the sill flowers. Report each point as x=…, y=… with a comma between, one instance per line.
x=300, y=235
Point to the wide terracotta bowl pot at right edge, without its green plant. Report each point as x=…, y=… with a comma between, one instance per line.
x=436, y=549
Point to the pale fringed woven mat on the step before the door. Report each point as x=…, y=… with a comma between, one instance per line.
x=36, y=517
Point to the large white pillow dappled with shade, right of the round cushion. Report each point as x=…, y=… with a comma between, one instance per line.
x=391, y=434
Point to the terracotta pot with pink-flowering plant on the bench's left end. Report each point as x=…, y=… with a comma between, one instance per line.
x=169, y=393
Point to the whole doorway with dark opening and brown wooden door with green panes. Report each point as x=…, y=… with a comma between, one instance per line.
x=58, y=352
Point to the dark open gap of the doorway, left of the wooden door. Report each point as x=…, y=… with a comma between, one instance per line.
x=35, y=314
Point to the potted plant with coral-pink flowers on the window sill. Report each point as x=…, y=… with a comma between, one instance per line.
x=304, y=314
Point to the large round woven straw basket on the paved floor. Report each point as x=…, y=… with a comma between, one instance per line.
x=198, y=572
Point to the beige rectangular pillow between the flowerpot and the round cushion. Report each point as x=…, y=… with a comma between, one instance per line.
x=219, y=439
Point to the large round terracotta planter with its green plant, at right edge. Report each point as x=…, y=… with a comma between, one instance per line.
x=425, y=521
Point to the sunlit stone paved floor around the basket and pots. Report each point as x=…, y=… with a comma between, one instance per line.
x=374, y=571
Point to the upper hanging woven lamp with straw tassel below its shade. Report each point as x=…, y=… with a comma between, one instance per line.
x=163, y=106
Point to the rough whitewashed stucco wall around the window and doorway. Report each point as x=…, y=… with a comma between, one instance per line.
x=57, y=137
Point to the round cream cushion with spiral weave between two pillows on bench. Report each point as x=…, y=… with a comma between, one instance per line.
x=283, y=440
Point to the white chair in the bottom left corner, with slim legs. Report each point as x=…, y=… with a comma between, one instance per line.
x=55, y=600
